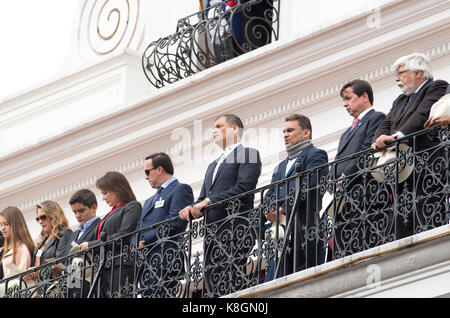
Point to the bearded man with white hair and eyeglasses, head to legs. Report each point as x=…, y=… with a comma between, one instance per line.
x=419, y=202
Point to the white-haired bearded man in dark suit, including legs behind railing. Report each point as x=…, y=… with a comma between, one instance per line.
x=408, y=115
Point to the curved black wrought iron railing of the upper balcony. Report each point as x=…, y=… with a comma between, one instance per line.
x=209, y=37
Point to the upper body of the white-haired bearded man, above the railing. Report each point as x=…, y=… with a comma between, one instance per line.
x=411, y=109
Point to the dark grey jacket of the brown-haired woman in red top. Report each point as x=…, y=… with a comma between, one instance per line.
x=121, y=221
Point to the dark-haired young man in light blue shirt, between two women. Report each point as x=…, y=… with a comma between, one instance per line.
x=84, y=206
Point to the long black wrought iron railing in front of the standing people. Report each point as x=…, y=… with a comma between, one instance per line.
x=381, y=202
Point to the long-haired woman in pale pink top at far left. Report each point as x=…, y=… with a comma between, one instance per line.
x=18, y=246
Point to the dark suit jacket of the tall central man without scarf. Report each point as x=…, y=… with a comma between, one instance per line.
x=238, y=173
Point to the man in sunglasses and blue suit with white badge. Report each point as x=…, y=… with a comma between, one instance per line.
x=163, y=248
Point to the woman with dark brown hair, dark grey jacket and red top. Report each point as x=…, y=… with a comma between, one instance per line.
x=121, y=220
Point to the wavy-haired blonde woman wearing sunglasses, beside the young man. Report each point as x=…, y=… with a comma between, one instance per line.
x=55, y=233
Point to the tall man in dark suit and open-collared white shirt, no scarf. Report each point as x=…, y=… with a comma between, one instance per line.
x=229, y=235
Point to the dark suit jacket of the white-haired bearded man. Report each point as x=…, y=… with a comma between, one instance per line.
x=416, y=113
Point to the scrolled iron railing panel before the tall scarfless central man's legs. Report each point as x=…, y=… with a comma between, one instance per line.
x=231, y=247
